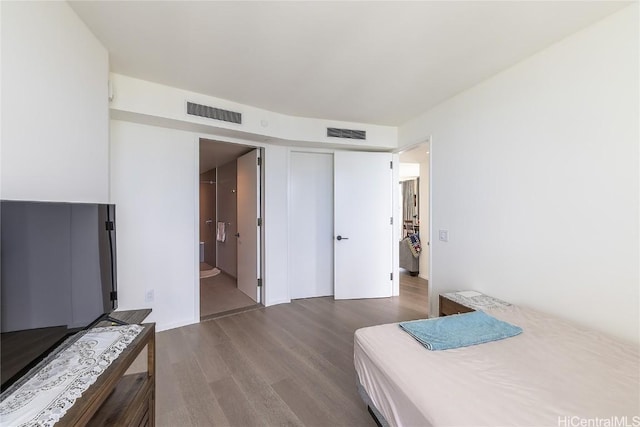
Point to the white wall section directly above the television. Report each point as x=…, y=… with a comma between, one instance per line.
x=54, y=106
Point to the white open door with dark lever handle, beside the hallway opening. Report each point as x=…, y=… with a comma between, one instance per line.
x=363, y=230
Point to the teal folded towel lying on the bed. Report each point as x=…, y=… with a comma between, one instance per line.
x=460, y=330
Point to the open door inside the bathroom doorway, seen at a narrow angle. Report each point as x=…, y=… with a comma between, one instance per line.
x=248, y=199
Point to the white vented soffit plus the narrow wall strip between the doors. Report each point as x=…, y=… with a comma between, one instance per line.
x=162, y=106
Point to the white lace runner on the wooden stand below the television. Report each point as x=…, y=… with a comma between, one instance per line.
x=53, y=387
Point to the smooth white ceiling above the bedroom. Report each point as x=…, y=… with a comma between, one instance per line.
x=381, y=62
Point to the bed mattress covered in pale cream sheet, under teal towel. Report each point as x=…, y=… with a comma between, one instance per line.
x=553, y=374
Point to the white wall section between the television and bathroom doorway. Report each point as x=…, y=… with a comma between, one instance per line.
x=154, y=186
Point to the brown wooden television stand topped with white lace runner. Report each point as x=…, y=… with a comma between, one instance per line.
x=122, y=392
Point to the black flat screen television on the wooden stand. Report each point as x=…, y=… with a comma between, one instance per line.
x=58, y=277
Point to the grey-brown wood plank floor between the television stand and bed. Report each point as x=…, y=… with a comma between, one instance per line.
x=290, y=364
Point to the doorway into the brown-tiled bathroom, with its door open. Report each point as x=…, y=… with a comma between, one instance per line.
x=227, y=202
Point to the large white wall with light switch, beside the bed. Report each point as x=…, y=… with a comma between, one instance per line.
x=535, y=175
